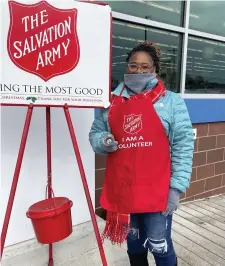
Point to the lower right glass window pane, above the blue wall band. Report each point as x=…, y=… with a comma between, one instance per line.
x=205, y=66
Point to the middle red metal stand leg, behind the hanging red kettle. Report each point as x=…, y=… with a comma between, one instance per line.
x=49, y=169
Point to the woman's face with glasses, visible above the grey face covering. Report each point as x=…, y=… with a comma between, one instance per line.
x=139, y=63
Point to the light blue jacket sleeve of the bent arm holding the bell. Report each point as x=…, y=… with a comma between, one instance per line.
x=98, y=130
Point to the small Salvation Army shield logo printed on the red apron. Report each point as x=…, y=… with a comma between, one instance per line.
x=132, y=123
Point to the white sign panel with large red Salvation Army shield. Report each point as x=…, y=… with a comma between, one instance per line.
x=55, y=52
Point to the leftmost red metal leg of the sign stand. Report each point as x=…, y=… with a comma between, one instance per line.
x=16, y=177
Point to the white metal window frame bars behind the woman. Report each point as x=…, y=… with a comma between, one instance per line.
x=186, y=32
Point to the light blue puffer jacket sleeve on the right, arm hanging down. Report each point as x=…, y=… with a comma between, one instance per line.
x=182, y=147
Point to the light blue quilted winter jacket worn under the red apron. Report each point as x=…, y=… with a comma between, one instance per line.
x=173, y=113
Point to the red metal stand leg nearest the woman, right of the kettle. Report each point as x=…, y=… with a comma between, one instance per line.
x=85, y=184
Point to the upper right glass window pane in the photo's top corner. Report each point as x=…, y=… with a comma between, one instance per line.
x=208, y=16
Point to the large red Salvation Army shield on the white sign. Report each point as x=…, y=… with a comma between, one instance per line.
x=42, y=39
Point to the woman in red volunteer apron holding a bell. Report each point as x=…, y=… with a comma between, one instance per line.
x=147, y=135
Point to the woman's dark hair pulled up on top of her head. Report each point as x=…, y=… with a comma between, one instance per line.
x=152, y=49
